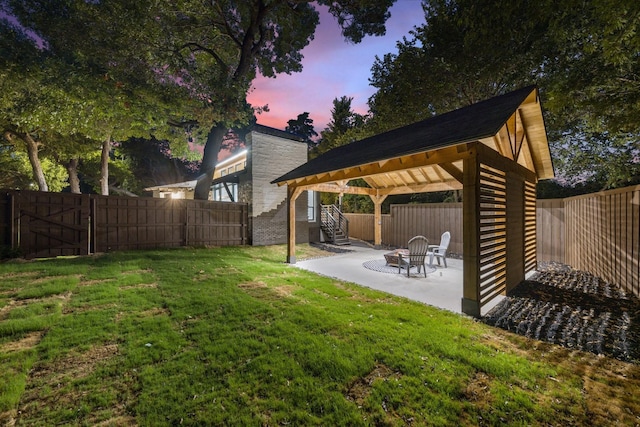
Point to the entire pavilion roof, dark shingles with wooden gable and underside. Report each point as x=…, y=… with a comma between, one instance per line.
x=511, y=124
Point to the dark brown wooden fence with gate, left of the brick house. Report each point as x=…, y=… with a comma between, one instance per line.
x=41, y=224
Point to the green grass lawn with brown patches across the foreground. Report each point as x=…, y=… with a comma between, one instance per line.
x=234, y=336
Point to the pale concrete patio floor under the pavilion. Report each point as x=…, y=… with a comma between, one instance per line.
x=441, y=288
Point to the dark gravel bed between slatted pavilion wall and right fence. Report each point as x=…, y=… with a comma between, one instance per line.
x=574, y=309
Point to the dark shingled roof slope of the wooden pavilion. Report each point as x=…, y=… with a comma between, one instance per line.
x=477, y=121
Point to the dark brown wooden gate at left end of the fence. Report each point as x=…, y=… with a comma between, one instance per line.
x=49, y=224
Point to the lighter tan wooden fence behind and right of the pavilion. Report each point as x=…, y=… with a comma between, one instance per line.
x=598, y=232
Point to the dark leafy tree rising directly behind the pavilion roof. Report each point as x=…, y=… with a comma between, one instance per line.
x=466, y=51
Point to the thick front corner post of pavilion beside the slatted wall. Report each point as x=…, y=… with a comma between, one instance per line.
x=471, y=231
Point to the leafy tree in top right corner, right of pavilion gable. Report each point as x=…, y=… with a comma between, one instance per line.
x=592, y=88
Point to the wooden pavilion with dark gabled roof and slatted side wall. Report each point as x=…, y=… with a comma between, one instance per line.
x=495, y=151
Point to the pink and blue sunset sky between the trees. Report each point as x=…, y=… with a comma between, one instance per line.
x=332, y=68
